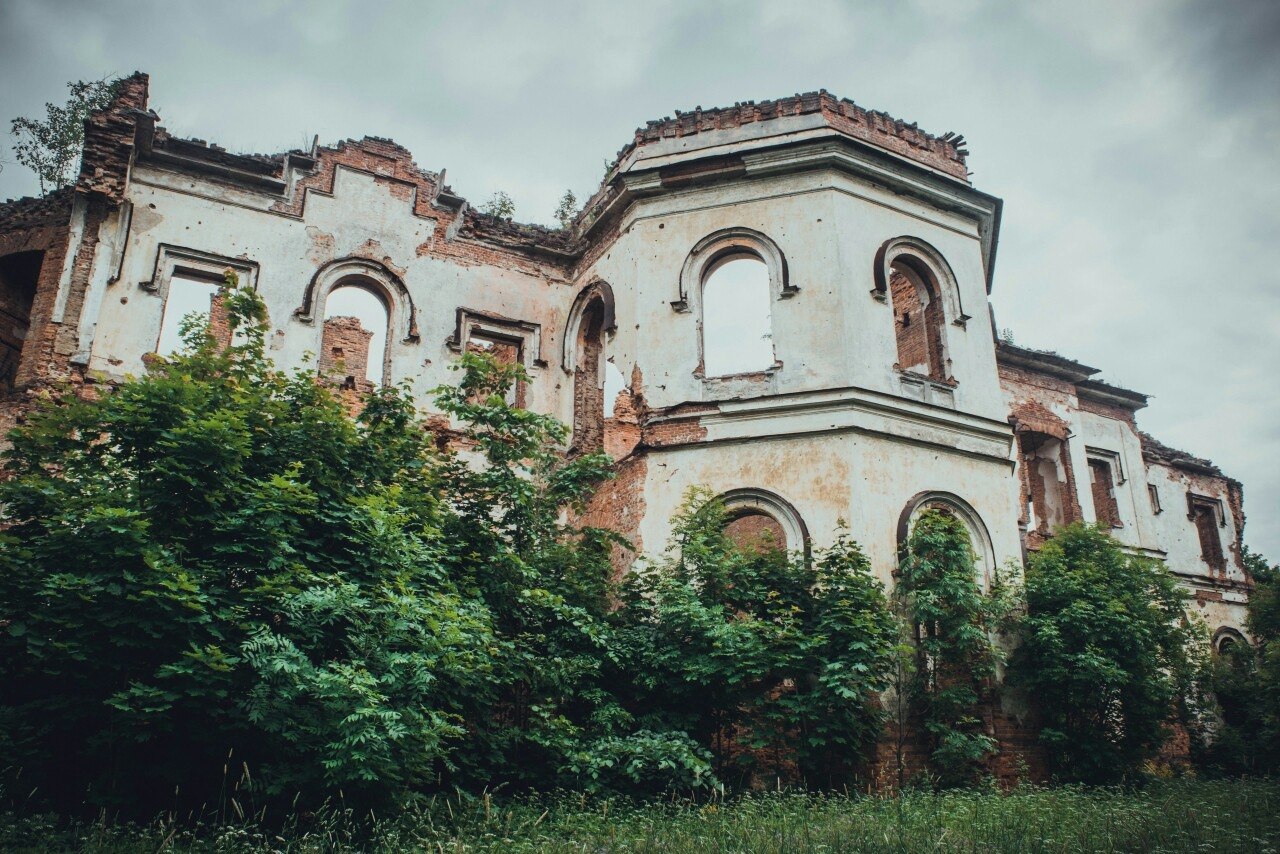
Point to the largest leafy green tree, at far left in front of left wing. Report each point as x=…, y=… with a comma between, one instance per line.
x=214, y=561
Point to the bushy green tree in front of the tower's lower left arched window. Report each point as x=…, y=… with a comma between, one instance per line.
x=764, y=657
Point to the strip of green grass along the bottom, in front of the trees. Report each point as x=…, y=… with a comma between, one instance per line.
x=1163, y=816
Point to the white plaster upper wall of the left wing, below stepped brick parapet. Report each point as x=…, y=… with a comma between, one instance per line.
x=362, y=217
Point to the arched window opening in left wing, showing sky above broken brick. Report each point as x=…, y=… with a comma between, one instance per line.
x=354, y=344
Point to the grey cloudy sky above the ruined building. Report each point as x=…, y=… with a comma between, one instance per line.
x=1136, y=145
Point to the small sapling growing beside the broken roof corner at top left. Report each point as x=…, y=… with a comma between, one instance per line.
x=52, y=148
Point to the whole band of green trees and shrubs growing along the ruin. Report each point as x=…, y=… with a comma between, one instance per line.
x=221, y=595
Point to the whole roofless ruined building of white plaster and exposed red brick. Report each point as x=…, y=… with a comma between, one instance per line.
x=875, y=387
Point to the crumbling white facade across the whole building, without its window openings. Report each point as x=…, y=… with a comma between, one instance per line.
x=834, y=430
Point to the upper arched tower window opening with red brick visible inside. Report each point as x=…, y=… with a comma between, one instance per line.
x=918, y=319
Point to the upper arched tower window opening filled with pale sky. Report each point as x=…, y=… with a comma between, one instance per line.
x=738, y=336
